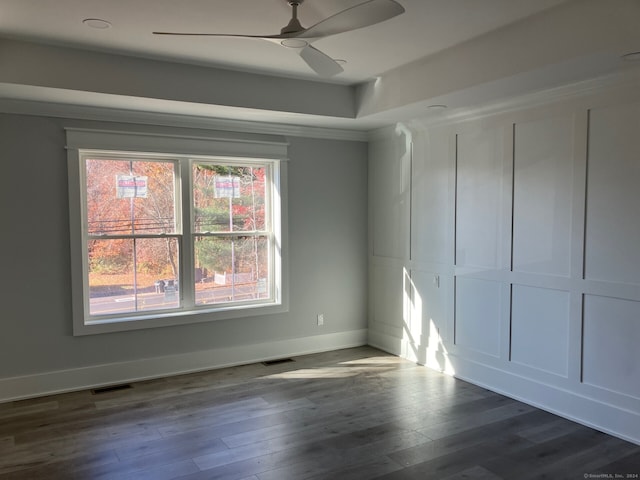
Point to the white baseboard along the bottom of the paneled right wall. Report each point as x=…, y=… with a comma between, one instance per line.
x=569, y=404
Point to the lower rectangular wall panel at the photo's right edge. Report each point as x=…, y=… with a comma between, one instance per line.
x=611, y=357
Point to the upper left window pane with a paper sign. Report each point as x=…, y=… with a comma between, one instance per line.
x=130, y=197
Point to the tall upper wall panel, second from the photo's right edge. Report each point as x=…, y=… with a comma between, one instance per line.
x=543, y=184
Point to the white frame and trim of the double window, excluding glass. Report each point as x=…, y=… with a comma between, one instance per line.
x=184, y=150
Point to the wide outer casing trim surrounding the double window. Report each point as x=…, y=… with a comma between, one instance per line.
x=232, y=146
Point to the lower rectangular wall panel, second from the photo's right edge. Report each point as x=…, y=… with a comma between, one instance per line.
x=540, y=329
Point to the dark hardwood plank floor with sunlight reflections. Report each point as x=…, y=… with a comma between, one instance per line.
x=349, y=414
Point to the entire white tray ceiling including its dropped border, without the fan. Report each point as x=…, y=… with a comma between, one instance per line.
x=457, y=52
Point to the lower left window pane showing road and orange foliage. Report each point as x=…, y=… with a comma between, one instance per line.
x=133, y=275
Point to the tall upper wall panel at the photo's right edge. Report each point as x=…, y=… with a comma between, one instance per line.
x=613, y=195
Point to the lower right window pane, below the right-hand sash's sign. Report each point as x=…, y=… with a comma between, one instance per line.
x=231, y=269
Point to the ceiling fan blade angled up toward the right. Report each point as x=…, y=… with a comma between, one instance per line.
x=359, y=16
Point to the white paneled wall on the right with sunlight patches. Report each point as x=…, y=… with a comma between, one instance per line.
x=506, y=250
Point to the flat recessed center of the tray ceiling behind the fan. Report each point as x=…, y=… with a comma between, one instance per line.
x=427, y=26
